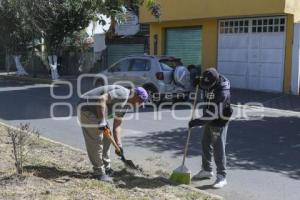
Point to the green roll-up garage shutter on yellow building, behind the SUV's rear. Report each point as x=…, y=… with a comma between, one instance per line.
x=184, y=43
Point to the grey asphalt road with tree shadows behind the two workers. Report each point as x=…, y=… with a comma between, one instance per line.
x=263, y=154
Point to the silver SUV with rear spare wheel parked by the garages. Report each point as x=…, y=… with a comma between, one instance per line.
x=164, y=77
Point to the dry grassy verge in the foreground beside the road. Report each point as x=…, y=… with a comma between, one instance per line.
x=54, y=171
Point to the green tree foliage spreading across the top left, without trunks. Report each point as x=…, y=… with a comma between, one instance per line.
x=54, y=20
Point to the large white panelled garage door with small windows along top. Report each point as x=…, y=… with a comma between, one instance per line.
x=251, y=52
